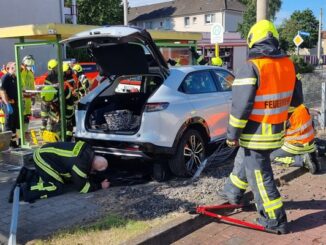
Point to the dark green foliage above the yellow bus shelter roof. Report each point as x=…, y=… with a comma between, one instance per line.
x=100, y=12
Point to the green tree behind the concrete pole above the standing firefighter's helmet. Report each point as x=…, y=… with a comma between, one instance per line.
x=249, y=15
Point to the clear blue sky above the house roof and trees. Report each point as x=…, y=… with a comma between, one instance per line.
x=288, y=7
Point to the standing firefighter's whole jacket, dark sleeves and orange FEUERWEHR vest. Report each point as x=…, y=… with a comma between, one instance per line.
x=262, y=93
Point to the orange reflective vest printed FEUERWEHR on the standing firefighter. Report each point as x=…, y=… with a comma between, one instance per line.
x=274, y=93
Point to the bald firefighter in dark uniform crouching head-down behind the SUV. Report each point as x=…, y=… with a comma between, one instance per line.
x=58, y=164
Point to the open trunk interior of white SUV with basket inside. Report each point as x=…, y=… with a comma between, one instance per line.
x=119, y=108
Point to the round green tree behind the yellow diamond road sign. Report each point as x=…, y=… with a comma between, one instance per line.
x=299, y=21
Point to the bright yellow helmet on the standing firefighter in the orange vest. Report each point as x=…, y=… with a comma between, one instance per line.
x=260, y=31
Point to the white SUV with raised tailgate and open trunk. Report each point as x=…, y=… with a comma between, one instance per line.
x=163, y=113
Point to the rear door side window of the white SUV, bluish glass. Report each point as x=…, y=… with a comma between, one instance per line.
x=198, y=83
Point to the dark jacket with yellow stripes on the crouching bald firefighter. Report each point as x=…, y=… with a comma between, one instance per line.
x=67, y=162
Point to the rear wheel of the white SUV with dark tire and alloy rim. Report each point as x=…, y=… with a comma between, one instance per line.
x=190, y=153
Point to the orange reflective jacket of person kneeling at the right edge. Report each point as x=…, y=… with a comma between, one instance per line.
x=299, y=137
